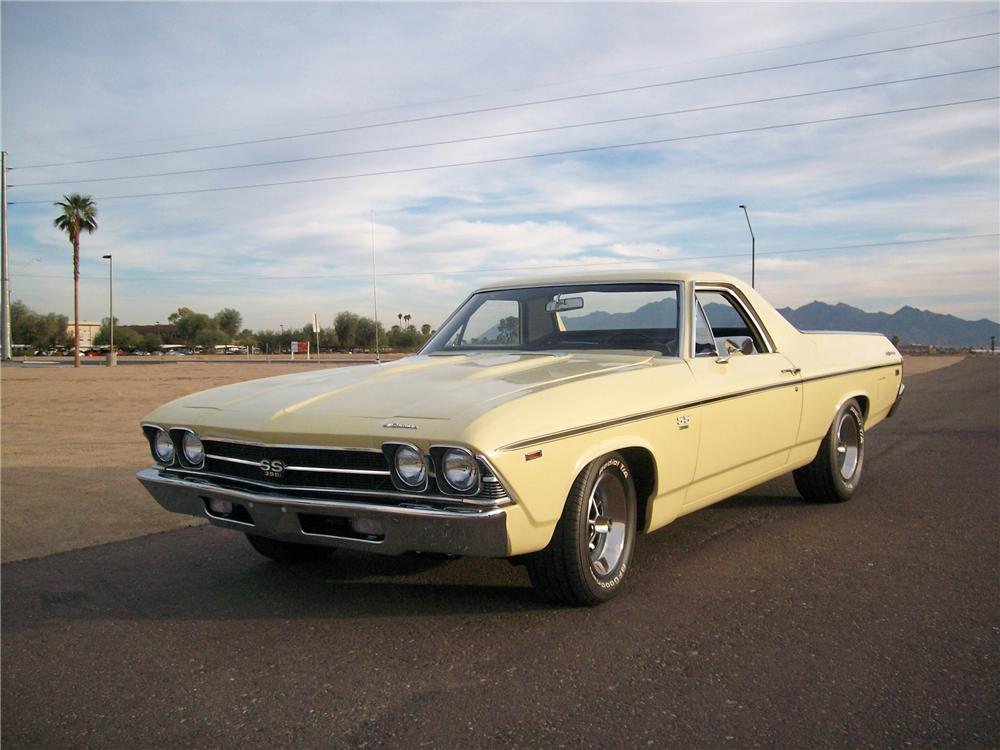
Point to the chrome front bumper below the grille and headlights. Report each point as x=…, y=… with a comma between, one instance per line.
x=459, y=531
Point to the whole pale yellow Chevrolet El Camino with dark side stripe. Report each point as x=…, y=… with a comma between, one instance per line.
x=547, y=421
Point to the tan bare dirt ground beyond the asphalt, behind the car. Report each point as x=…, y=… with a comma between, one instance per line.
x=70, y=446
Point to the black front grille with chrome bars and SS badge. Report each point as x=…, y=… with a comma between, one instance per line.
x=331, y=469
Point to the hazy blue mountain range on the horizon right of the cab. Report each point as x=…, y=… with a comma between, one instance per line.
x=913, y=326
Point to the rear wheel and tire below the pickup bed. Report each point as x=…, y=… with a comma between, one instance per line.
x=834, y=475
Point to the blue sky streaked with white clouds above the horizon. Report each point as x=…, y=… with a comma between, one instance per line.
x=876, y=211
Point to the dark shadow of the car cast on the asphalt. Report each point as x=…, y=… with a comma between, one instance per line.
x=206, y=573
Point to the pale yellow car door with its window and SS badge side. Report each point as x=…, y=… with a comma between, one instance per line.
x=750, y=395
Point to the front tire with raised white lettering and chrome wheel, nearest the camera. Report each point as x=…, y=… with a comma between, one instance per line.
x=591, y=548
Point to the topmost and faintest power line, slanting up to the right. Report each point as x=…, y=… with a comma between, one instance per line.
x=551, y=84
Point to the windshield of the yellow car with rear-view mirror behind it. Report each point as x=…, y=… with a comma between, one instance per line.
x=637, y=316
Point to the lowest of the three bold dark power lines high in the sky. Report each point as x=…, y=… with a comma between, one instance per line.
x=522, y=157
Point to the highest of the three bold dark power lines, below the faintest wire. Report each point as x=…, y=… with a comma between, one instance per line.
x=518, y=105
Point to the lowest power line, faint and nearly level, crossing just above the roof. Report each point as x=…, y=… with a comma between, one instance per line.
x=618, y=262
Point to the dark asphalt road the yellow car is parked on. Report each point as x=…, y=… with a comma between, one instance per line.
x=760, y=622
